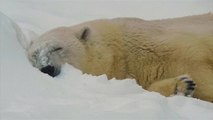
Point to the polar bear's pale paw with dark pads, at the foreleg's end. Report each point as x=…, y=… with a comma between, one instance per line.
x=185, y=86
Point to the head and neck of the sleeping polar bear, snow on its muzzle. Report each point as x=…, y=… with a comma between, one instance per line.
x=89, y=49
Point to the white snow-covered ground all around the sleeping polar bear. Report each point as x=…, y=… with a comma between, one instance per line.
x=28, y=94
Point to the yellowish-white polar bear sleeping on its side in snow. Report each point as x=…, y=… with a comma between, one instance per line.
x=171, y=56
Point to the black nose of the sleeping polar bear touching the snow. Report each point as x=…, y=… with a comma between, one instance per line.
x=50, y=70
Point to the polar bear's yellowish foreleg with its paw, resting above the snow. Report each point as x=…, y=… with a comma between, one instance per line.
x=182, y=85
